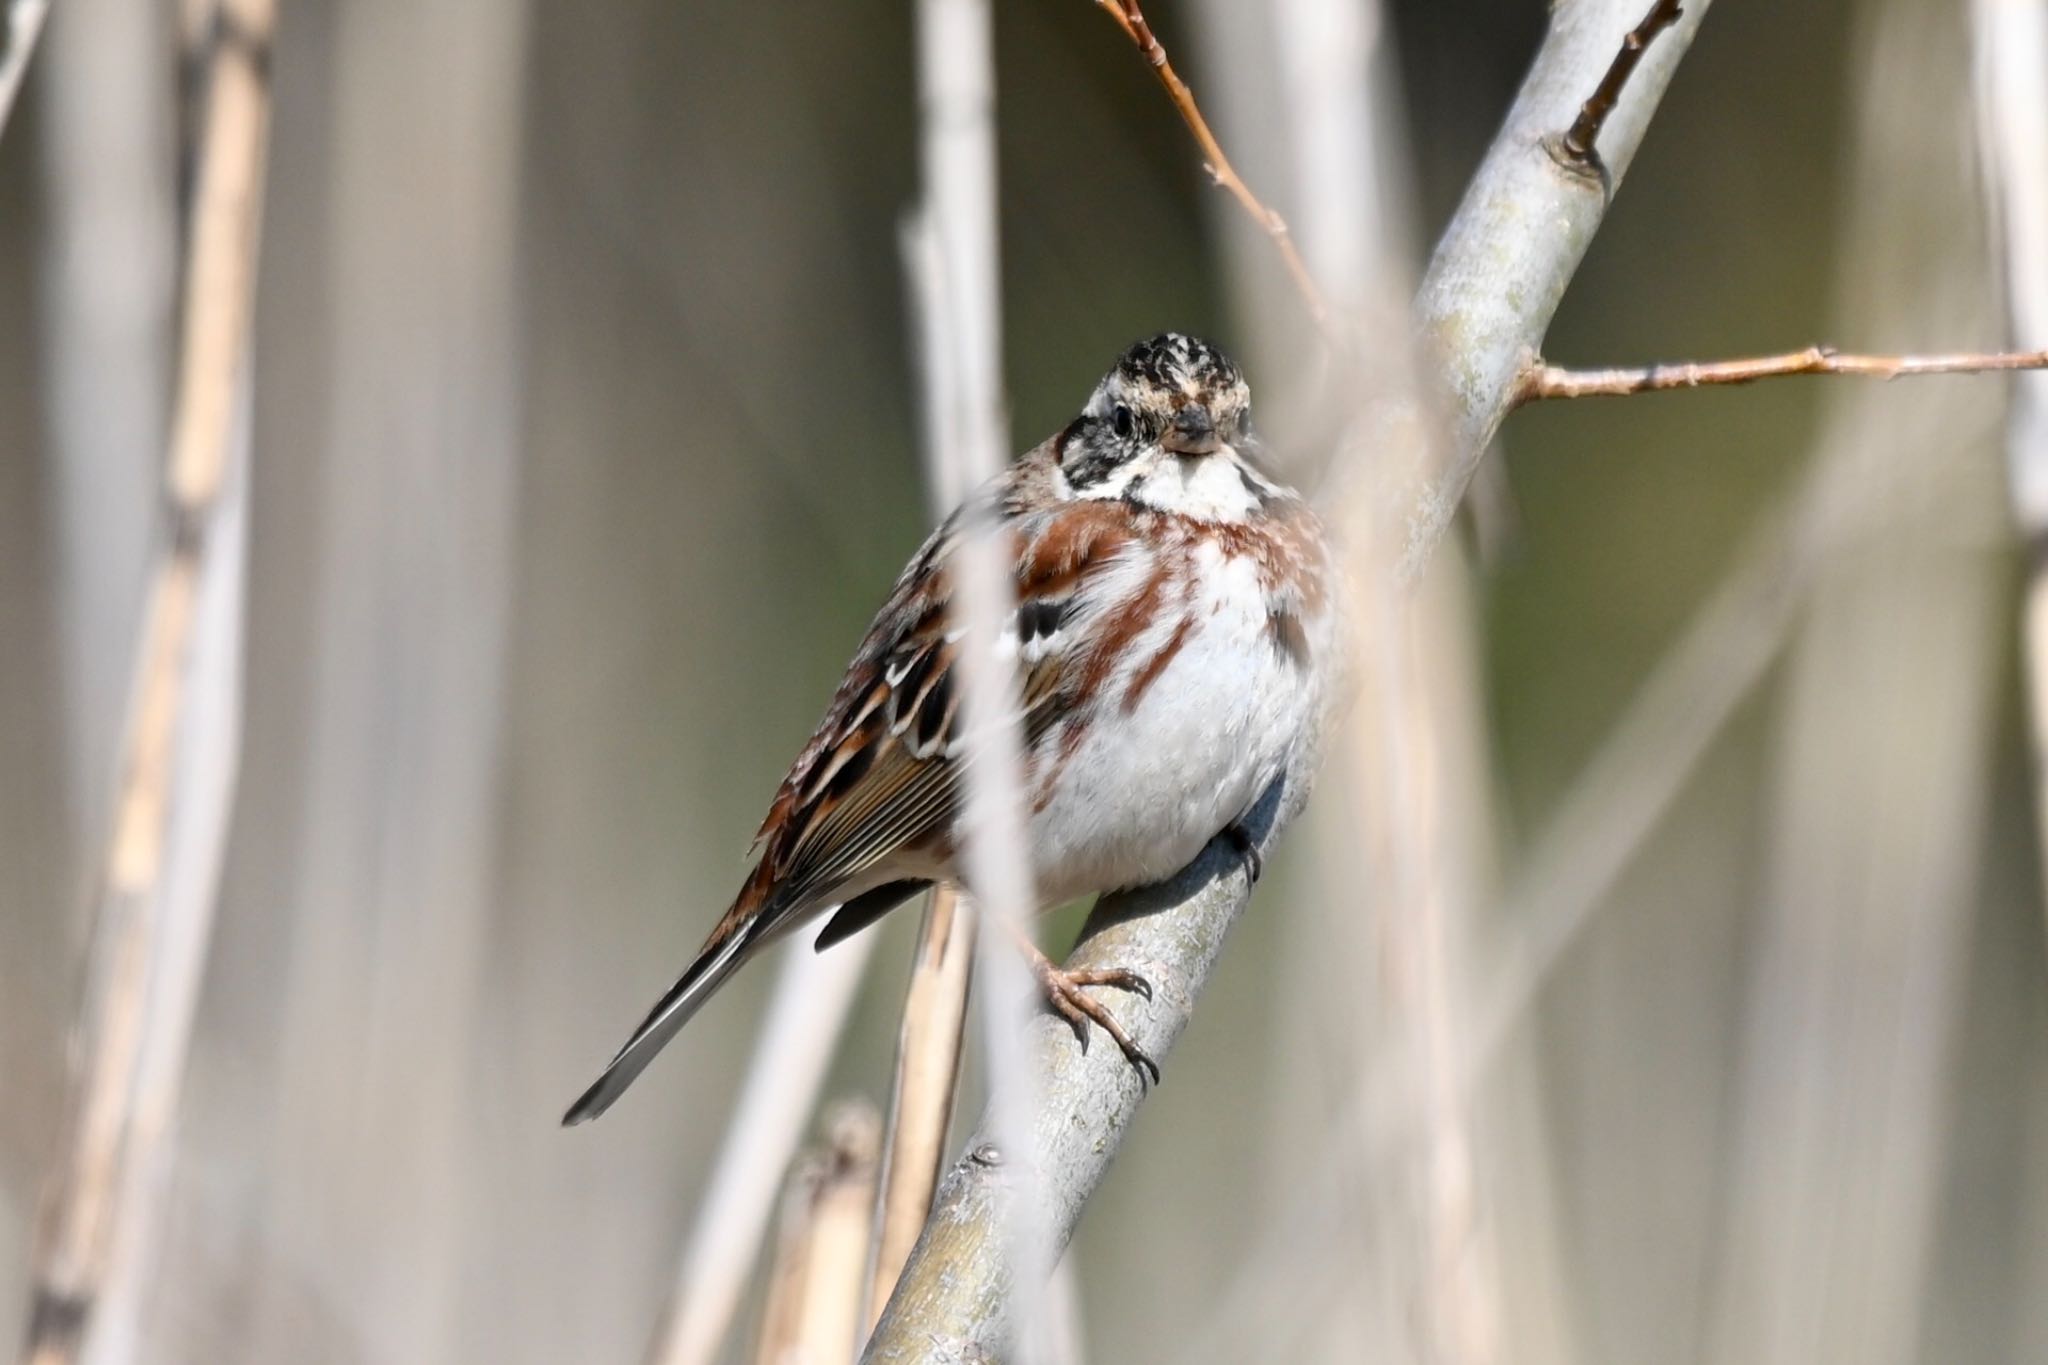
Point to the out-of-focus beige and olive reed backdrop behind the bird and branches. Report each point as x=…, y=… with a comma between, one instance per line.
x=583, y=447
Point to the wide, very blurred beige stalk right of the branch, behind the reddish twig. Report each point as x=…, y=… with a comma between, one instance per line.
x=1869, y=889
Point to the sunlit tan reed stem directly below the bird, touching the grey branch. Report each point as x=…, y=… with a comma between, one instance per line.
x=929, y=1069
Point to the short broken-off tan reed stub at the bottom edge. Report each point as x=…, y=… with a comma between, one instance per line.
x=816, y=1286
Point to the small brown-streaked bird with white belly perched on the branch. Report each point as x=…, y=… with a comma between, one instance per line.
x=1172, y=642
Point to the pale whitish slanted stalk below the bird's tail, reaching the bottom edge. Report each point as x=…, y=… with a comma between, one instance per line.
x=806, y=1016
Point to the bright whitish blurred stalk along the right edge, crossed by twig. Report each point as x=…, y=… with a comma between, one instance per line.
x=2012, y=91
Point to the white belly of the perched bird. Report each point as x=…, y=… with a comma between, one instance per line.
x=1144, y=791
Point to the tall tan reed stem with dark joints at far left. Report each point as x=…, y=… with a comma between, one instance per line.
x=134, y=942
